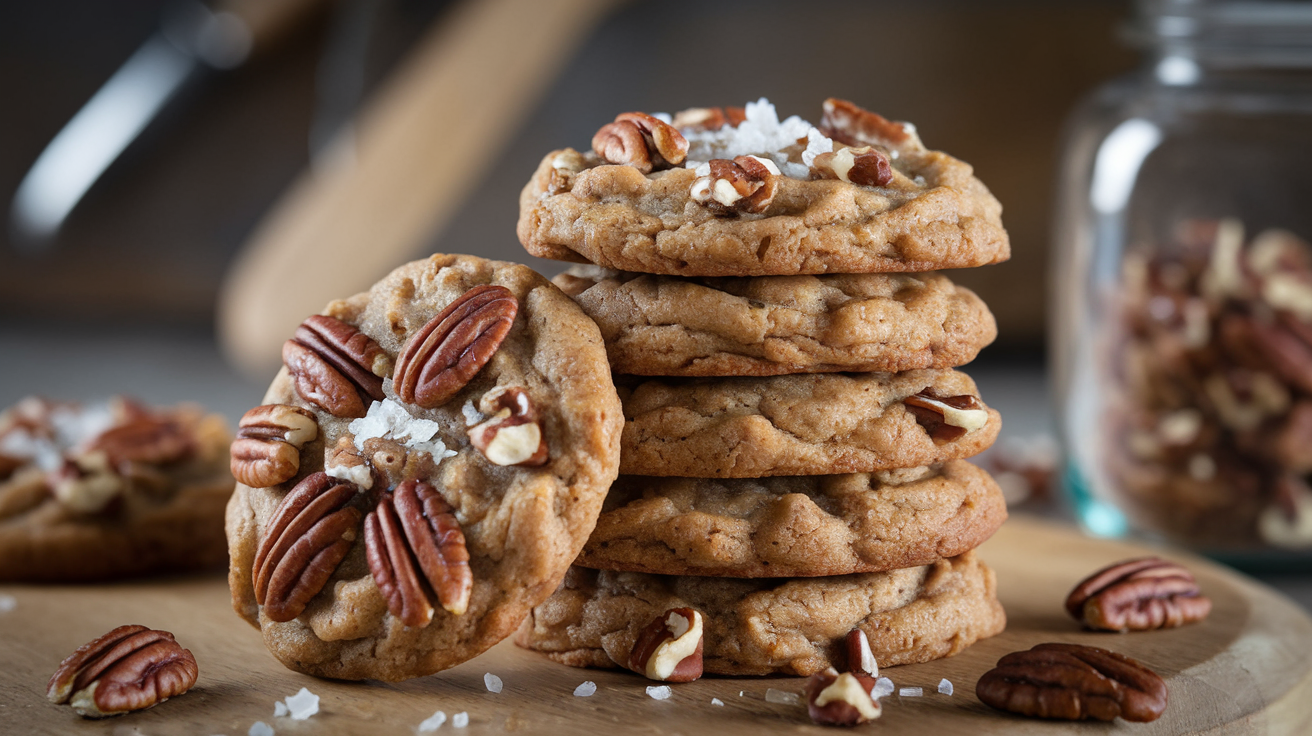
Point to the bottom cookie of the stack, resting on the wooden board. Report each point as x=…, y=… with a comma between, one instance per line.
x=772, y=626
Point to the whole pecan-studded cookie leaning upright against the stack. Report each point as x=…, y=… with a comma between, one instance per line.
x=424, y=470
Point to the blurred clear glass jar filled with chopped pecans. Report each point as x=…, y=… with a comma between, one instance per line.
x=1181, y=326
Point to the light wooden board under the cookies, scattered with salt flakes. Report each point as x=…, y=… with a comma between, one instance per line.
x=1243, y=671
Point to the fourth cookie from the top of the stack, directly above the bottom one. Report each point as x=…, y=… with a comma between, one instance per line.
x=794, y=527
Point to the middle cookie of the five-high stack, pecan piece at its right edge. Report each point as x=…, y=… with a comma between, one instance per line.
x=809, y=424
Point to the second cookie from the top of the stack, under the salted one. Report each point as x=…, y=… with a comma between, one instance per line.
x=781, y=325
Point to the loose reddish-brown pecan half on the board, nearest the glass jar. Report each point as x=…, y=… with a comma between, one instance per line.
x=1137, y=596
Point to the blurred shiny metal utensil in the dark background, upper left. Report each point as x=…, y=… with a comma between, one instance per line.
x=194, y=39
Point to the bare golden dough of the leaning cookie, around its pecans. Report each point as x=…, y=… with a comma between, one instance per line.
x=523, y=525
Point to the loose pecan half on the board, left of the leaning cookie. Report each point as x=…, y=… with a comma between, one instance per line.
x=128, y=670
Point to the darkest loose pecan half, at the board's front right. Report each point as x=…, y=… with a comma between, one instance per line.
x=1074, y=683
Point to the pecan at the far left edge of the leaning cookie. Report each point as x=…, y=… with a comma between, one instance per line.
x=267, y=449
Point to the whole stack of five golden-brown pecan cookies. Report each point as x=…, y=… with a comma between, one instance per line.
x=793, y=455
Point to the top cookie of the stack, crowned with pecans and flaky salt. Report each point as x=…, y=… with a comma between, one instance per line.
x=762, y=197
